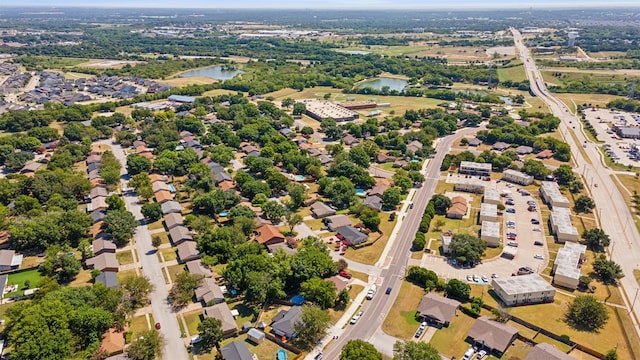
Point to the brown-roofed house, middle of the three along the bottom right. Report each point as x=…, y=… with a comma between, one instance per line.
x=492, y=335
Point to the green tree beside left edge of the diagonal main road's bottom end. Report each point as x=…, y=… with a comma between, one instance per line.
x=312, y=326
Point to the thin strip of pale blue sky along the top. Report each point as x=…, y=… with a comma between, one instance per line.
x=326, y=4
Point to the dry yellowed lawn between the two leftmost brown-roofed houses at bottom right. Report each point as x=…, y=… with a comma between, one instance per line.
x=449, y=341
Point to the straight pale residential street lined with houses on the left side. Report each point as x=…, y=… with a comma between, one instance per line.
x=162, y=310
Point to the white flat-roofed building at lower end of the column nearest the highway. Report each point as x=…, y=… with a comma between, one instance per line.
x=566, y=267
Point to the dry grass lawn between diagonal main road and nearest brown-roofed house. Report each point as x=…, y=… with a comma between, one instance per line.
x=401, y=321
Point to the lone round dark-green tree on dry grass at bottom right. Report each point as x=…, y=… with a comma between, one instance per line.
x=586, y=313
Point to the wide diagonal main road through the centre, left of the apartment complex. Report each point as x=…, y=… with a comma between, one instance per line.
x=395, y=264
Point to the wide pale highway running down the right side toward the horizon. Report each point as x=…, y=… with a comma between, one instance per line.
x=614, y=216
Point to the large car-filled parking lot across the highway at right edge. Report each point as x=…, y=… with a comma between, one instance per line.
x=619, y=149
